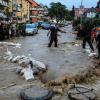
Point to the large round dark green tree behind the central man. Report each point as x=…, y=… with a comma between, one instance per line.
x=57, y=11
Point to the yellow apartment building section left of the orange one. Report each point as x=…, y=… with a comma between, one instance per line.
x=19, y=10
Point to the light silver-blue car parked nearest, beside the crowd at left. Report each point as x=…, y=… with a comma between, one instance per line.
x=31, y=29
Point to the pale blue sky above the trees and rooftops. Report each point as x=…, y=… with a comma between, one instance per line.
x=70, y=3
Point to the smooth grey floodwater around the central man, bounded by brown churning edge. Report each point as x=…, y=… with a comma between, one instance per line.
x=66, y=59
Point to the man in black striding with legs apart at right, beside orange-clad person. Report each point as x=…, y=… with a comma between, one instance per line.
x=86, y=38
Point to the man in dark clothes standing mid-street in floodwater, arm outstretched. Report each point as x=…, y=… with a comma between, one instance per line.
x=53, y=35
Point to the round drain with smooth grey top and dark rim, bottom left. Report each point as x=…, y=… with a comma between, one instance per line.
x=36, y=93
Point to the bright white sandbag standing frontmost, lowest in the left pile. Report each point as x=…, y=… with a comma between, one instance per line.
x=28, y=73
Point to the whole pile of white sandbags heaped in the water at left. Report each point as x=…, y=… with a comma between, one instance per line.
x=27, y=66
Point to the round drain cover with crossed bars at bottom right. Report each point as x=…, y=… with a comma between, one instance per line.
x=79, y=92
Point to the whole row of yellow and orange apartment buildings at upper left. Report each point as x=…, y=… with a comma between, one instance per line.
x=23, y=10
